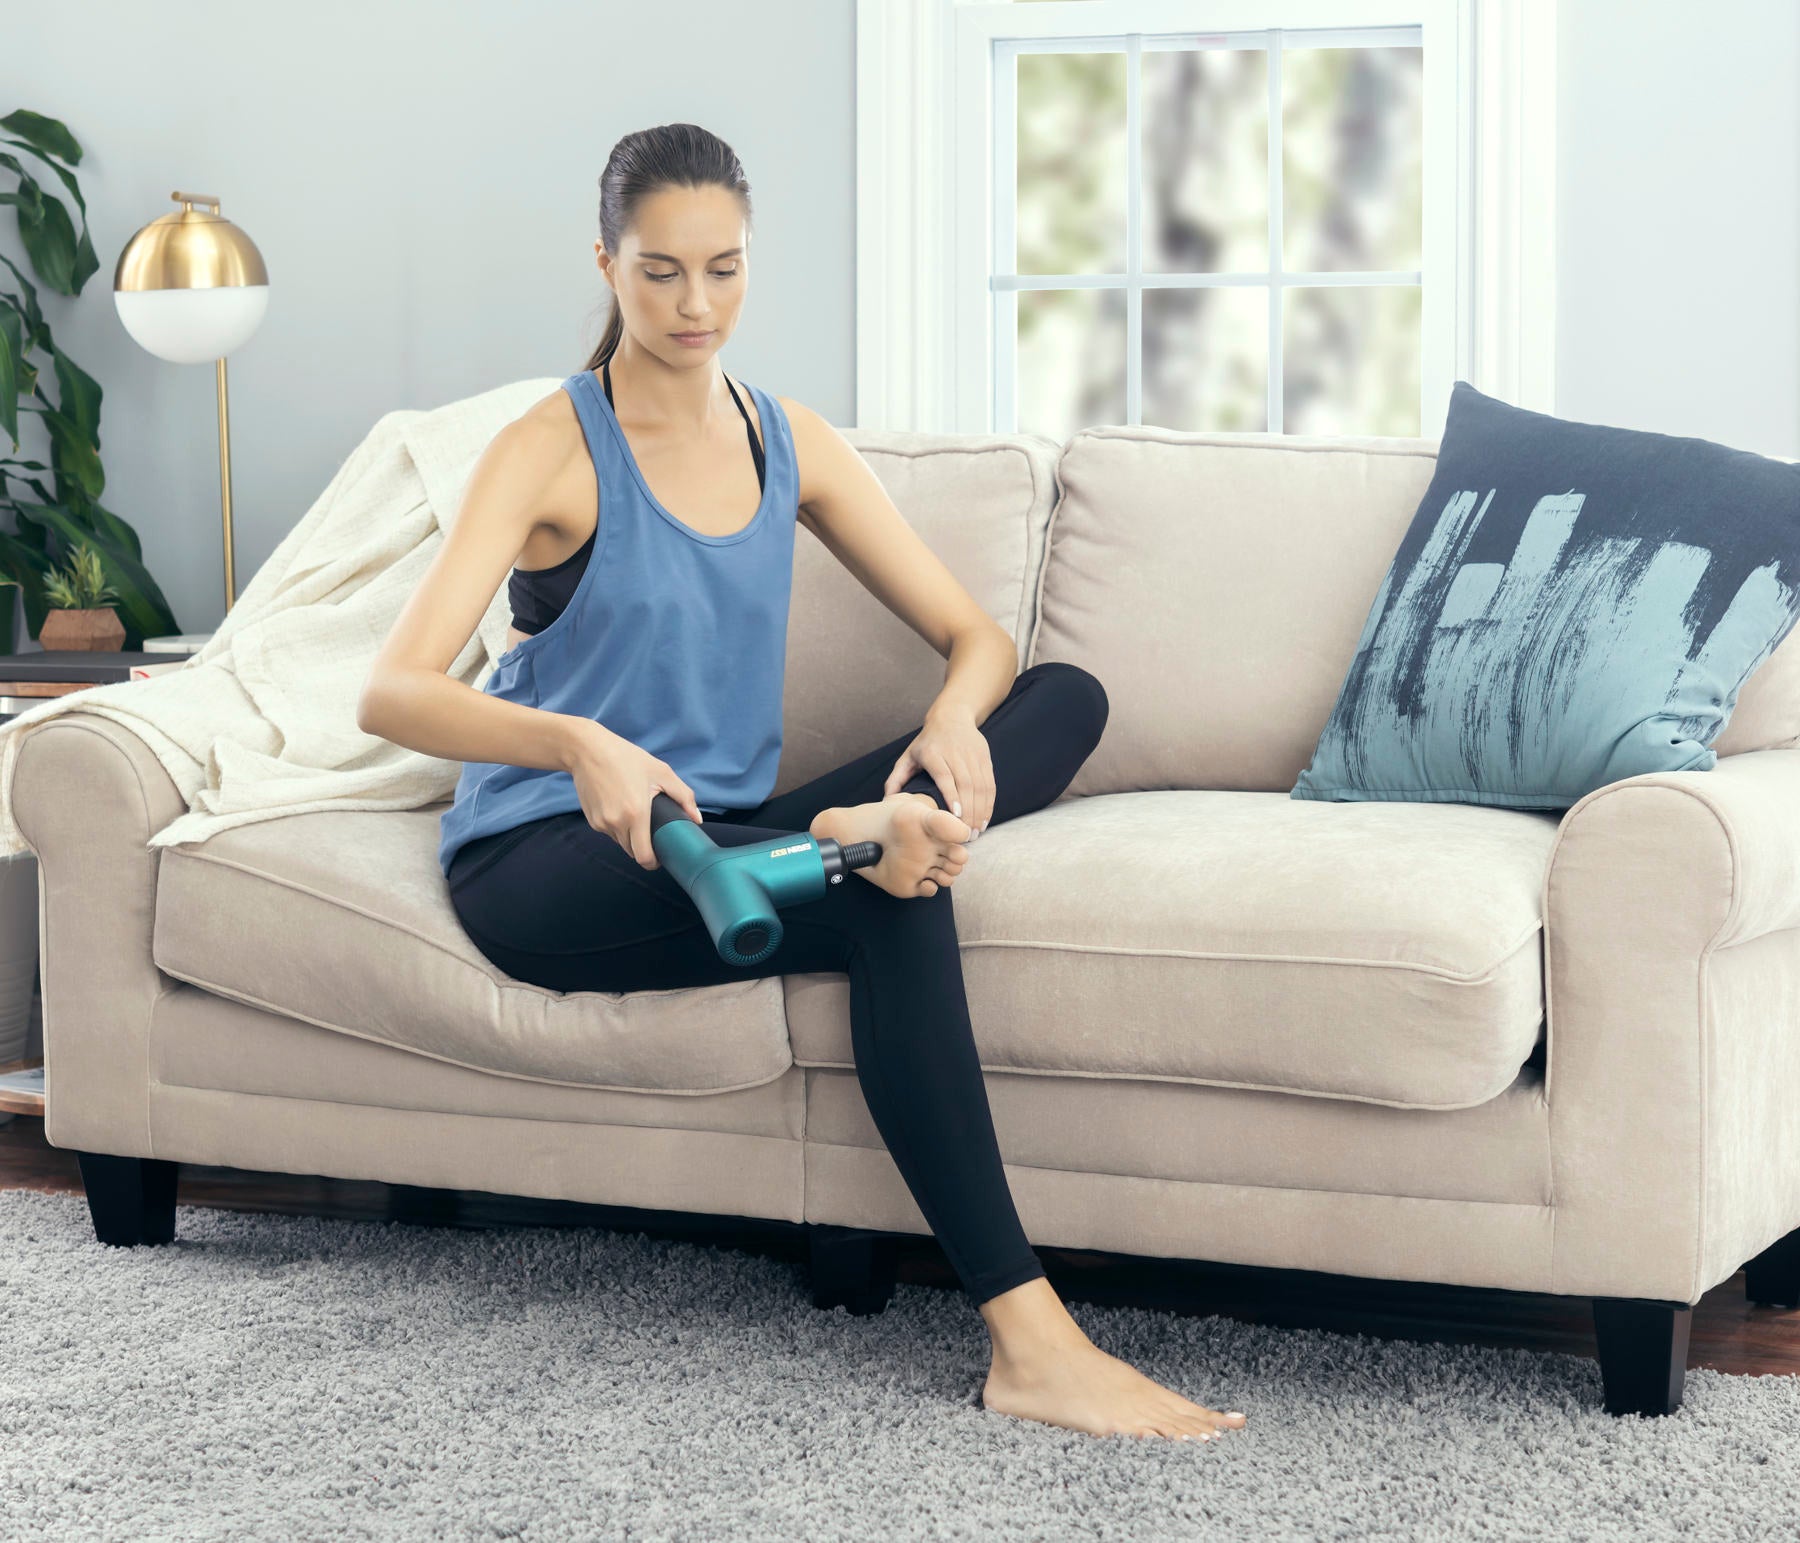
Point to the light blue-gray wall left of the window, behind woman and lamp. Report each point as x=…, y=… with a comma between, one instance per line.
x=424, y=183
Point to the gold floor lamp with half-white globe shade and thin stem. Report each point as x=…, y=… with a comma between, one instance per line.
x=192, y=287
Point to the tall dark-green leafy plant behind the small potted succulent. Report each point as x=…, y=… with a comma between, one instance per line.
x=64, y=512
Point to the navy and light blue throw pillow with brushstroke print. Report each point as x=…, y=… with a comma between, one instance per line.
x=1572, y=604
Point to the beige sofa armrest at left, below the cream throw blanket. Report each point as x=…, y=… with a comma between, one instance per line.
x=87, y=797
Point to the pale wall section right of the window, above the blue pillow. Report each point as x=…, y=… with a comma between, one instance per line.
x=1678, y=219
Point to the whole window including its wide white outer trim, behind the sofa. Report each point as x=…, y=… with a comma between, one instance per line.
x=1304, y=221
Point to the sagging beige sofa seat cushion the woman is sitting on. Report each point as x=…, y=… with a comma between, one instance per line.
x=343, y=919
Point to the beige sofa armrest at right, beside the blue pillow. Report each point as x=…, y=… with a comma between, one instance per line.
x=1673, y=998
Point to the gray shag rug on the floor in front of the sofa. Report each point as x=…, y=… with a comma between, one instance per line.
x=296, y=1378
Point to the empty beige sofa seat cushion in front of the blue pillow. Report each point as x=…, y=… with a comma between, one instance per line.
x=1376, y=952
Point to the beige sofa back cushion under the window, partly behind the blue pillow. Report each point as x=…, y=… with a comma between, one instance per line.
x=1218, y=586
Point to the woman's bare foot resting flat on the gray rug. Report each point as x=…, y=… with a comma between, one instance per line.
x=1047, y=1369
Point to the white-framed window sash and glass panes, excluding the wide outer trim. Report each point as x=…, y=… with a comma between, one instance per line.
x=1268, y=271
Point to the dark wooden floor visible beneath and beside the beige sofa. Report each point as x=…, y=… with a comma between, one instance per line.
x=1727, y=1335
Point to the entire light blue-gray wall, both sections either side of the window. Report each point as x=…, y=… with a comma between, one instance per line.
x=424, y=177
